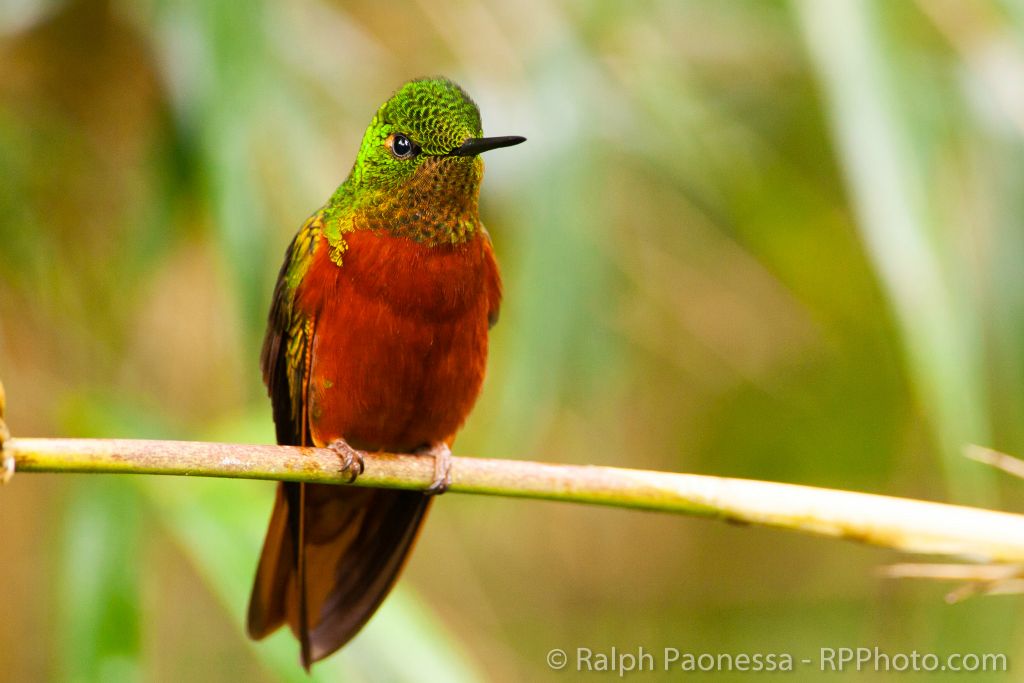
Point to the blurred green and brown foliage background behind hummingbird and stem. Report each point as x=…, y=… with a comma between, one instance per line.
x=769, y=240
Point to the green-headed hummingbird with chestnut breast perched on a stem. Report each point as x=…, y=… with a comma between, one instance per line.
x=377, y=341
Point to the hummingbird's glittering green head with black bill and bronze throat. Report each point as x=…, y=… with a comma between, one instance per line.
x=418, y=173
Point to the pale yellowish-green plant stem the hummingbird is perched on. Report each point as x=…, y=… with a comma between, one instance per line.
x=902, y=524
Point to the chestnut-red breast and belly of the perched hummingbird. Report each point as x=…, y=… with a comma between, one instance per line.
x=401, y=340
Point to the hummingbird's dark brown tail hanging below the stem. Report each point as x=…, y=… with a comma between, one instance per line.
x=331, y=557
